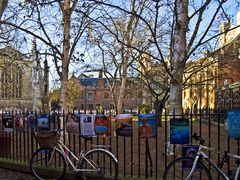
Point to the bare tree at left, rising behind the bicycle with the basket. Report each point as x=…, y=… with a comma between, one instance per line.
x=58, y=27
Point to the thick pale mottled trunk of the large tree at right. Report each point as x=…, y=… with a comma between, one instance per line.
x=179, y=58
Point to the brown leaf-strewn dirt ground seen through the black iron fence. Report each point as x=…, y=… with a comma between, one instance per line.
x=131, y=151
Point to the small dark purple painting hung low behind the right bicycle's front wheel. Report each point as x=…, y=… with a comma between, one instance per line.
x=189, y=151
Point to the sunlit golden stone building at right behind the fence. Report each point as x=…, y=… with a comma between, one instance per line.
x=217, y=70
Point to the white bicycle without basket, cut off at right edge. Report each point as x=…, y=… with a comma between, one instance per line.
x=186, y=168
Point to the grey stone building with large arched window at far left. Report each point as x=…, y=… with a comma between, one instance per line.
x=19, y=81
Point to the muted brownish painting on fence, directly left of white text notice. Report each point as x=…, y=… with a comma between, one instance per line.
x=72, y=124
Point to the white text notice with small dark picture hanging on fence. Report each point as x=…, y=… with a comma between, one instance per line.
x=87, y=125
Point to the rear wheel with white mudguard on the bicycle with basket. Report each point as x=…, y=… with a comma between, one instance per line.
x=105, y=164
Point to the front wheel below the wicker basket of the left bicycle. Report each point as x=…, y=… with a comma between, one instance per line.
x=48, y=164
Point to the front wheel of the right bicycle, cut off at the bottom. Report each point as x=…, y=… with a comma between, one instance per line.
x=181, y=167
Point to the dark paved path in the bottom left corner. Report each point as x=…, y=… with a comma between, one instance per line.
x=14, y=175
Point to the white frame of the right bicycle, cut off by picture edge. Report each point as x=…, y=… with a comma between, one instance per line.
x=200, y=154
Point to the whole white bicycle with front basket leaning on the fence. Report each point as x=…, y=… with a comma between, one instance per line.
x=50, y=161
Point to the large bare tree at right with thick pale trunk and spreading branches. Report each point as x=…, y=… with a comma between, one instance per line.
x=180, y=28
